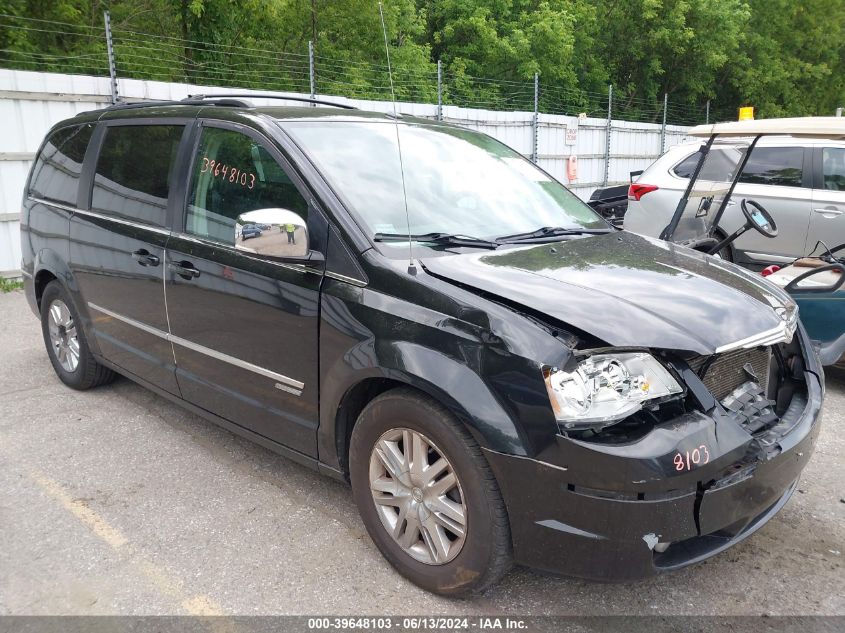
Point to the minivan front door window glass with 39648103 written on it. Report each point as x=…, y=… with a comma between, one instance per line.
x=234, y=174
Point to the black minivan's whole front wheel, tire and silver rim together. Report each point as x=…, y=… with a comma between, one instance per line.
x=427, y=495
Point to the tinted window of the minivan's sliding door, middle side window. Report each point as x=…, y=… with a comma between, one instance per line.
x=133, y=172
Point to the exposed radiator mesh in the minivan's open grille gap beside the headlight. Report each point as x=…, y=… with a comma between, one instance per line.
x=727, y=371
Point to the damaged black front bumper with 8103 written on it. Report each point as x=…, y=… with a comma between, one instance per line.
x=622, y=512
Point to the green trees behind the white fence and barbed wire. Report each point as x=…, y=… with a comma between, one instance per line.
x=784, y=57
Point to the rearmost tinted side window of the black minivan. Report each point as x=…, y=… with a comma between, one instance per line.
x=57, y=169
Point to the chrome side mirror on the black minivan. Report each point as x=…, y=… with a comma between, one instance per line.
x=274, y=232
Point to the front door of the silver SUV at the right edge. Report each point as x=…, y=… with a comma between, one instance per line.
x=827, y=221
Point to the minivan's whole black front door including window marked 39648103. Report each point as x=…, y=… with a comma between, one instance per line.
x=244, y=330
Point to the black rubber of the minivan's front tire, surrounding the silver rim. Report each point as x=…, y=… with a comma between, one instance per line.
x=468, y=569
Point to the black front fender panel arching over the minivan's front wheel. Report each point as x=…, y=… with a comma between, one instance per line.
x=365, y=338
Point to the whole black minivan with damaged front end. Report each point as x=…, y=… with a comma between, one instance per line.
x=417, y=309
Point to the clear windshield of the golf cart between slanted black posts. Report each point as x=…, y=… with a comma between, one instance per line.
x=697, y=218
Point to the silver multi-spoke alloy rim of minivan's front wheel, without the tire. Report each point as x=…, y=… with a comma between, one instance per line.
x=418, y=496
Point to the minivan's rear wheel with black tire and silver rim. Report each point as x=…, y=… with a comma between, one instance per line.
x=67, y=345
